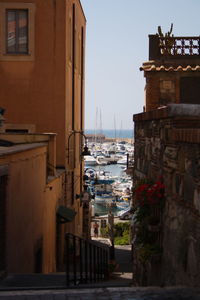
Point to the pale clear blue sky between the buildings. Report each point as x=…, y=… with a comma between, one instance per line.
x=117, y=45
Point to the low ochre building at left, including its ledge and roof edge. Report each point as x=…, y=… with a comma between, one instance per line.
x=30, y=196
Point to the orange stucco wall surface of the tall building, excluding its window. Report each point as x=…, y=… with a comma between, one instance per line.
x=40, y=92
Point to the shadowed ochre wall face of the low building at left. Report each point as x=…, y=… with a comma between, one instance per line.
x=30, y=211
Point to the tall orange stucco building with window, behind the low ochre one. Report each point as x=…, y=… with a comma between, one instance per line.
x=42, y=65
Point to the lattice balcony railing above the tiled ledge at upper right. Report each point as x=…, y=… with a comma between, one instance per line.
x=177, y=47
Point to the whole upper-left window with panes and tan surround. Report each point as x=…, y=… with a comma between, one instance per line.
x=17, y=31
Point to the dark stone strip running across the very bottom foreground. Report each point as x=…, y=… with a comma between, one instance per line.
x=123, y=293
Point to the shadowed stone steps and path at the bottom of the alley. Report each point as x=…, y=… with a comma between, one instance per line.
x=118, y=287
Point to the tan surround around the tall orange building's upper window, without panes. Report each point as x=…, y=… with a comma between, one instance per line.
x=18, y=56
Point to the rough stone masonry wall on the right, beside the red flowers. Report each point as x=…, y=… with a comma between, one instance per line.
x=167, y=143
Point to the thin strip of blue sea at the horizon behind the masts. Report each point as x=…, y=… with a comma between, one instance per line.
x=112, y=133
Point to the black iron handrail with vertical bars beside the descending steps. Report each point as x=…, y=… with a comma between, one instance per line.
x=86, y=262
